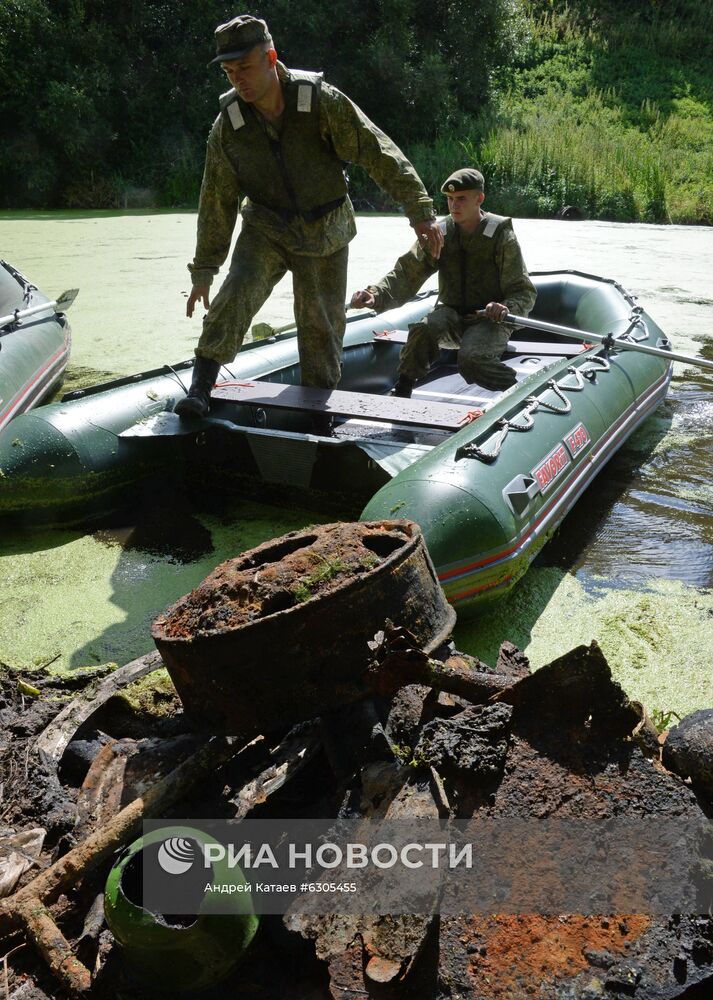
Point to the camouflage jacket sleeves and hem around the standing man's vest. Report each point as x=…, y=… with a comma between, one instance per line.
x=352, y=137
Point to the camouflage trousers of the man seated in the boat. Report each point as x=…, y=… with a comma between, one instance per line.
x=480, y=344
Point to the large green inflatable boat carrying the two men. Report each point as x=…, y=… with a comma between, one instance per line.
x=487, y=475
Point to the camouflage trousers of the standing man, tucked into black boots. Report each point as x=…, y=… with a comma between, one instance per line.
x=319, y=285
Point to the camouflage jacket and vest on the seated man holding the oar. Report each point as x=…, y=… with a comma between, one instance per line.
x=474, y=269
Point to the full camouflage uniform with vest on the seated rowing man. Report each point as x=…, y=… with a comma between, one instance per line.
x=473, y=269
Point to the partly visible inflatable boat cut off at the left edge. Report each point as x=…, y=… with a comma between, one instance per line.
x=34, y=344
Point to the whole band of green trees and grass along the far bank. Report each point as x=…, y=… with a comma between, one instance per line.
x=604, y=106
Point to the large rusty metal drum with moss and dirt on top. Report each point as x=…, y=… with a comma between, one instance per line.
x=280, y=633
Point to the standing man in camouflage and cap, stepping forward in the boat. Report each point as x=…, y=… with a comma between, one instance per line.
x=281, y=141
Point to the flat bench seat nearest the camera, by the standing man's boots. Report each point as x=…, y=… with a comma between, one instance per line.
x=355, y=405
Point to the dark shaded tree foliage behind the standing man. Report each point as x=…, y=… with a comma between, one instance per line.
x=100, y=96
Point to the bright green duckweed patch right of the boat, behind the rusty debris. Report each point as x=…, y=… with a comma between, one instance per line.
x=657, y=639
